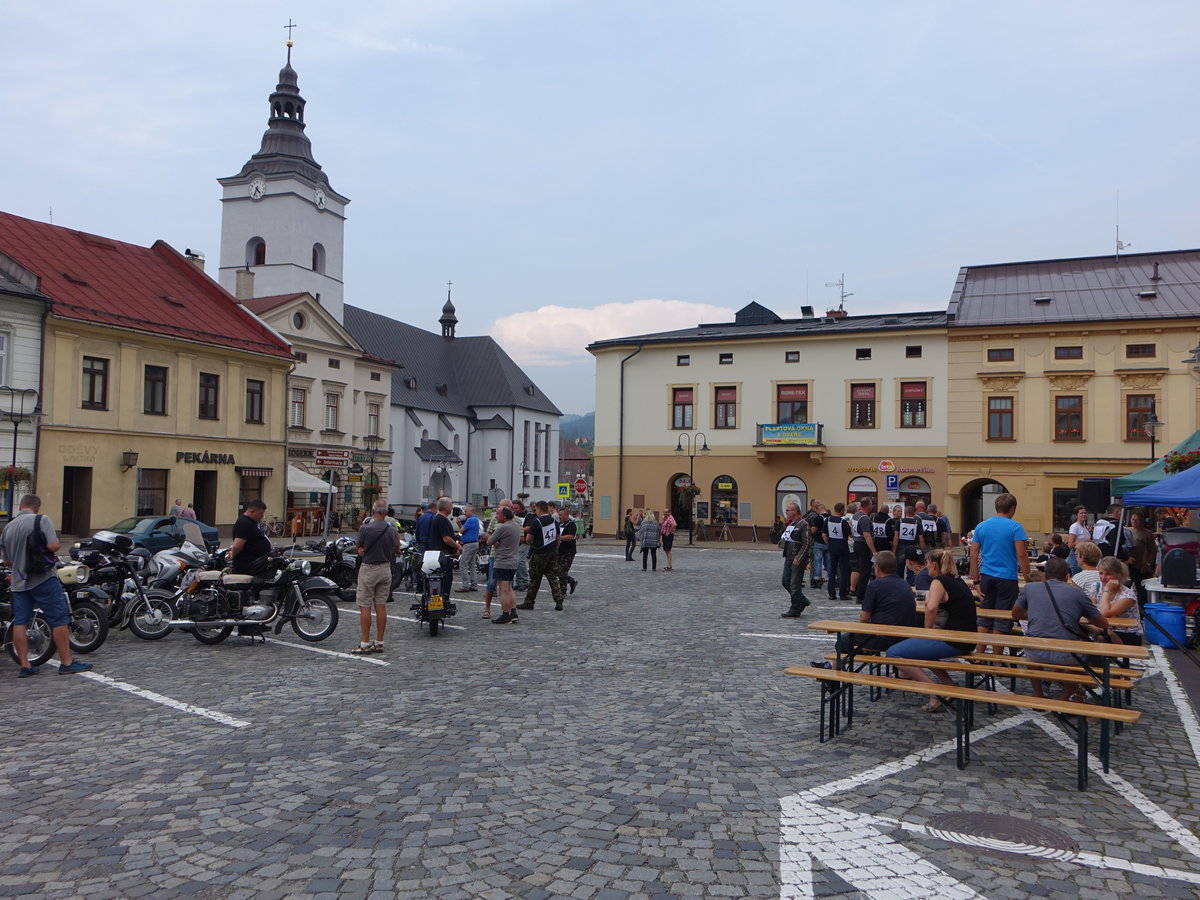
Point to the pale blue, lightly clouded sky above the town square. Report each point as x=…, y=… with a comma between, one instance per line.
x=590, y=170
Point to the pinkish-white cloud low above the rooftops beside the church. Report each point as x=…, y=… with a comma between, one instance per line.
x=560, y=335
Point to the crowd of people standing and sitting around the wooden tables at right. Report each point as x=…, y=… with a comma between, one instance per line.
x=1093, y=577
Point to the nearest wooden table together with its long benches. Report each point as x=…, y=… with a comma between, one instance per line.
x=1109, y=686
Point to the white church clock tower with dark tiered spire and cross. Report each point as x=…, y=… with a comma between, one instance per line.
x=283, y=225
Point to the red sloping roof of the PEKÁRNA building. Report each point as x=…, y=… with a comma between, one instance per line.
x=153, y=290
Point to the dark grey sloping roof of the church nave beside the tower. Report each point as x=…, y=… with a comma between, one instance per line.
x=446, y=376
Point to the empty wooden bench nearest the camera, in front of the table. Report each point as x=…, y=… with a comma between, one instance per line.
x=962, y=701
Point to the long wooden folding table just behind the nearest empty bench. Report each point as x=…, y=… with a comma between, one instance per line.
x=1085, y=653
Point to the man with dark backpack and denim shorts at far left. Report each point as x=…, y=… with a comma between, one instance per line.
x=28, y=547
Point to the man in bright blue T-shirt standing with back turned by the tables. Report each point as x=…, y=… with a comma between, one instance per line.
x=998, y=559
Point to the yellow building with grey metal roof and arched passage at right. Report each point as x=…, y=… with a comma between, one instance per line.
x=1055, y=370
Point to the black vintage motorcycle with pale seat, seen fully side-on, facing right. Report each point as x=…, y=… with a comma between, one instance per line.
x=285, y=591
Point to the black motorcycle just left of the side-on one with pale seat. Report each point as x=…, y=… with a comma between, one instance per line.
x=119, y=575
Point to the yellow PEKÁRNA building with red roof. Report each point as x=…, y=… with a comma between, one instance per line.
x=155, y=386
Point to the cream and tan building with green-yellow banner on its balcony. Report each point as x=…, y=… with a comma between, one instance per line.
x=820, y=407
